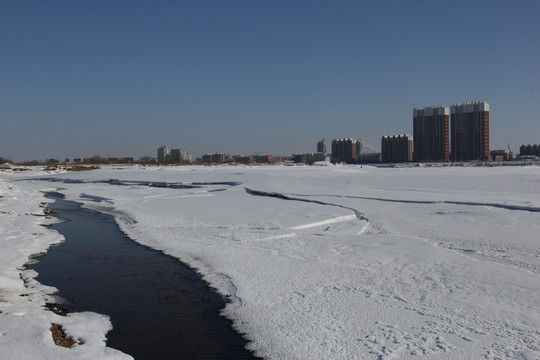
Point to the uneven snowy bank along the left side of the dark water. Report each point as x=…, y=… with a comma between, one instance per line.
x=24, y=321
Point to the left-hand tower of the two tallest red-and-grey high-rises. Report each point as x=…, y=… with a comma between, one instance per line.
x=431, y=134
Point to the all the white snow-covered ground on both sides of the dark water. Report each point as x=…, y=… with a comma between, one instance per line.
x=322, y=262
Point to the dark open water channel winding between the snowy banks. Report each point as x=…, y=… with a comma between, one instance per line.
x=159, y=308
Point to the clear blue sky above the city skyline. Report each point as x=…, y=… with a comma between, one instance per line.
x=121, y=78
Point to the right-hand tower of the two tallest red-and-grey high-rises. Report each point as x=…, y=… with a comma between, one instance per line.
x=469, y=131
